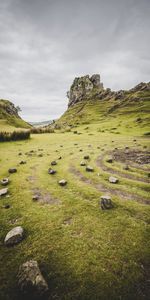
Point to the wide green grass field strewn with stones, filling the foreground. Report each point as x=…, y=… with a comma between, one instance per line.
x=83, y=252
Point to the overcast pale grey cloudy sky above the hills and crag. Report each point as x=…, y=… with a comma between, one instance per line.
x=45, y=44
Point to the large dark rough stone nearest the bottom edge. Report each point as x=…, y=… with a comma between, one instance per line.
x=31, y=281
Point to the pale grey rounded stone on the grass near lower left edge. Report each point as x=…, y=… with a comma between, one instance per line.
x=14, y=236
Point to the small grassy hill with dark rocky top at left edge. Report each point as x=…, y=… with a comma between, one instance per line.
x=9, y=117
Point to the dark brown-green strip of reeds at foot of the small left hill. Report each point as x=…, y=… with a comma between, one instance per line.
x=14, y=136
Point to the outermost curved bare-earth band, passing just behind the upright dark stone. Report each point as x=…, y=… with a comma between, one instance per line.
x=102, y=188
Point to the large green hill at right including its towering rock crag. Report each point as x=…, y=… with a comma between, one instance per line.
x=91, y=103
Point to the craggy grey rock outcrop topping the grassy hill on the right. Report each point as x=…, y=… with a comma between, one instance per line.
x=82, y=87
